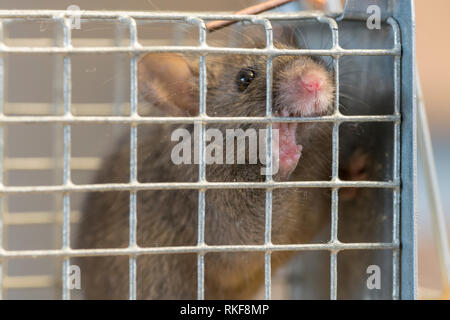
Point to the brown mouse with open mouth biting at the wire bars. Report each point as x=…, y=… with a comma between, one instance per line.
x=236, y=86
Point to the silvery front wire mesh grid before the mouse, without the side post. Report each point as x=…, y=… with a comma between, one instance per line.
x=134, y=49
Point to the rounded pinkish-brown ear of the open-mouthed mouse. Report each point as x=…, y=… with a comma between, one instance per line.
x=169, y=81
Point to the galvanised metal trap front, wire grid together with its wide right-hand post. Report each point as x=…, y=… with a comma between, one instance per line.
x=398, y=14
